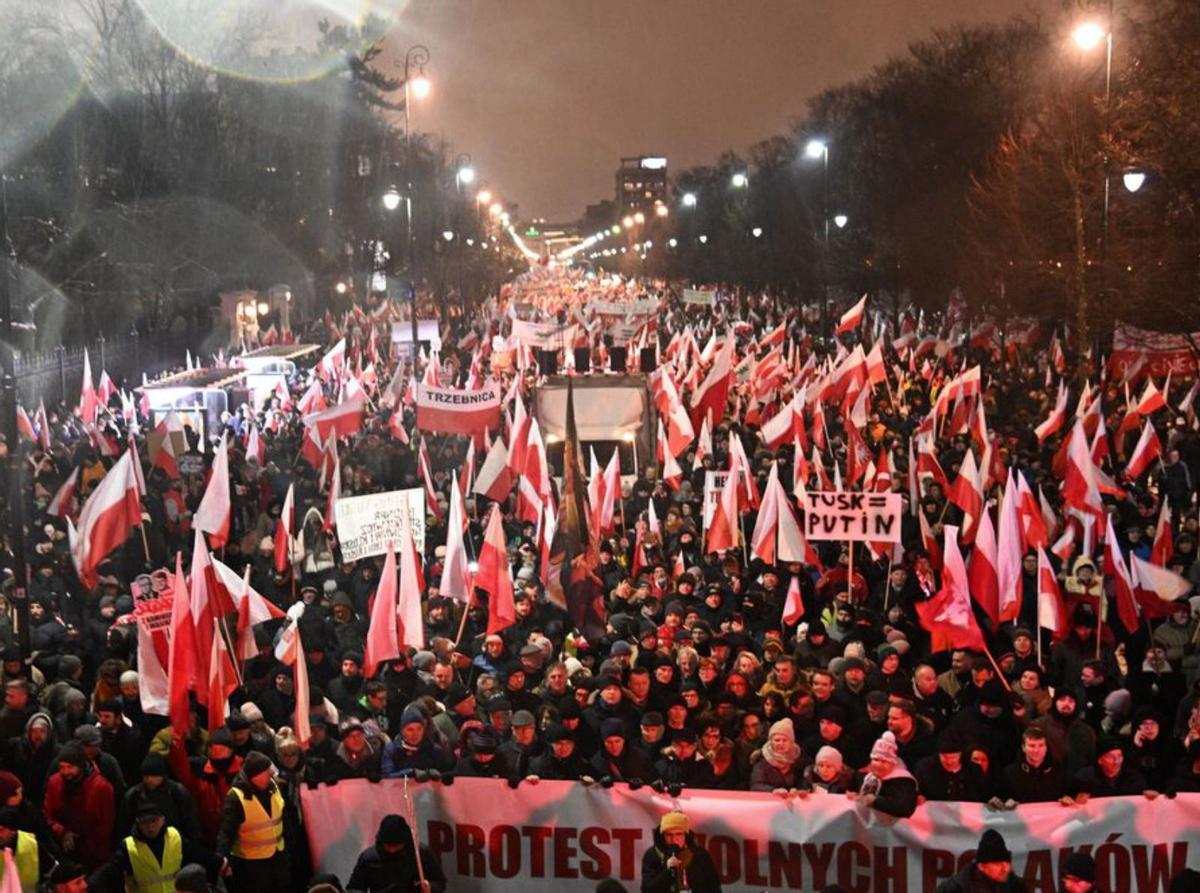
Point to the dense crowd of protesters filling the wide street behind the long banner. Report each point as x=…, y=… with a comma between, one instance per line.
x=698, y=682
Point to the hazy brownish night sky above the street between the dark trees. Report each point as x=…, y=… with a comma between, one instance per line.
x=547, y=95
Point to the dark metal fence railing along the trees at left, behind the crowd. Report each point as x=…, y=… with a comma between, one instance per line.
x=57, y=375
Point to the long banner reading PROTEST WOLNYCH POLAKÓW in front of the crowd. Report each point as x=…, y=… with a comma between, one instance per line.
x=560, y=836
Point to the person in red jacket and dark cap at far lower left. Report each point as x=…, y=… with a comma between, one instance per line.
x=81, y=808
